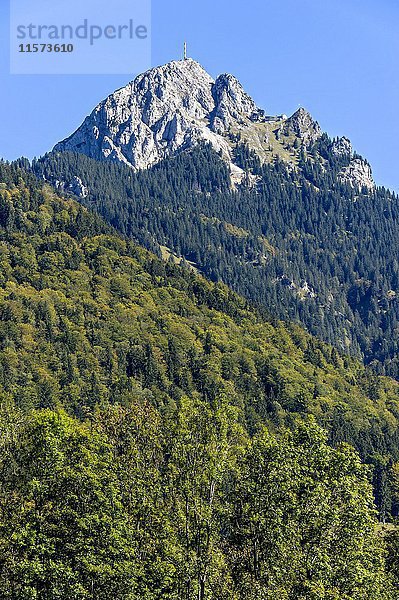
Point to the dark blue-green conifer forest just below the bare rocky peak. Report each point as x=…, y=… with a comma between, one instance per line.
x=298, y=241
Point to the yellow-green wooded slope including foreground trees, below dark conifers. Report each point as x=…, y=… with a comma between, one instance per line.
x=157, y=438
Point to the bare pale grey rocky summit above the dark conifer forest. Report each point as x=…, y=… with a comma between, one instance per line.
x=175, y=107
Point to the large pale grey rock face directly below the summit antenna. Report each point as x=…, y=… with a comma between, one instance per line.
x=163, y=111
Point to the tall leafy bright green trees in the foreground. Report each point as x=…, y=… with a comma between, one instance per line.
x=185, y=506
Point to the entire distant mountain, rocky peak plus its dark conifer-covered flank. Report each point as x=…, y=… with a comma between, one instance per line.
x=271, y=206
